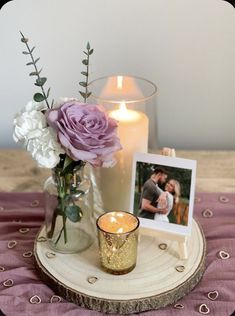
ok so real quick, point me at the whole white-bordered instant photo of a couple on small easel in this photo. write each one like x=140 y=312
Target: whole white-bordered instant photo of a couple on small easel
x=162 y=192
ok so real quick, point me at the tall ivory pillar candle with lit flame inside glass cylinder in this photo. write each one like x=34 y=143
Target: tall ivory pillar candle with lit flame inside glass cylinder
x=115 y=182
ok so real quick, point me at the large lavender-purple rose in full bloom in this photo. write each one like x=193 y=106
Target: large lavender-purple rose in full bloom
x=85 y=132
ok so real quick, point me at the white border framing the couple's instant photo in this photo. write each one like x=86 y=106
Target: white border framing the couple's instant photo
x=171 y=162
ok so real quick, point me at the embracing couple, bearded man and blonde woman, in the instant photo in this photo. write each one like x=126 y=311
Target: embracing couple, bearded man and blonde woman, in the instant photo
x=156 y=203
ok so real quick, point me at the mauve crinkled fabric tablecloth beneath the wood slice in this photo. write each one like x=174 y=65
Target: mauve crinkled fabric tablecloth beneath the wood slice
x=17 y=211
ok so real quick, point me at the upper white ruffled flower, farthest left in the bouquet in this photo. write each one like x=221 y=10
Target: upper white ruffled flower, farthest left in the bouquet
x=29 y=122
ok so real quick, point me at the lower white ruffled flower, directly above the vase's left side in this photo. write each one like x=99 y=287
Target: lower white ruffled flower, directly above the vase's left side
x=45 y=149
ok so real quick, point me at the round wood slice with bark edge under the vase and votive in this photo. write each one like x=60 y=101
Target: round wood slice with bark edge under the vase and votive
x=154 y=283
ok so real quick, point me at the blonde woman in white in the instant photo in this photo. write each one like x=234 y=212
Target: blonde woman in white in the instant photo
x=167 y=199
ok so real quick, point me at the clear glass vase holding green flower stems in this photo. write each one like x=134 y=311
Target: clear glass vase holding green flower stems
x=69 y=211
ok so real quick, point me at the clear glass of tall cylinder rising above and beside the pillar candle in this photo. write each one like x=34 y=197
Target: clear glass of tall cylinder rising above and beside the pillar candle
x=119 y=92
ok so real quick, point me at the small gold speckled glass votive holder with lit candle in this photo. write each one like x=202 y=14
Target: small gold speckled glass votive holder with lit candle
x=118 y=241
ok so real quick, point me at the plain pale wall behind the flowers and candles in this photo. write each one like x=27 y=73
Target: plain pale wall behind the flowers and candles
x=187 y=47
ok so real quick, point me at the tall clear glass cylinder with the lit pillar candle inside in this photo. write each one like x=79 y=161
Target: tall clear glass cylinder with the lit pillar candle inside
x=131 y=101
